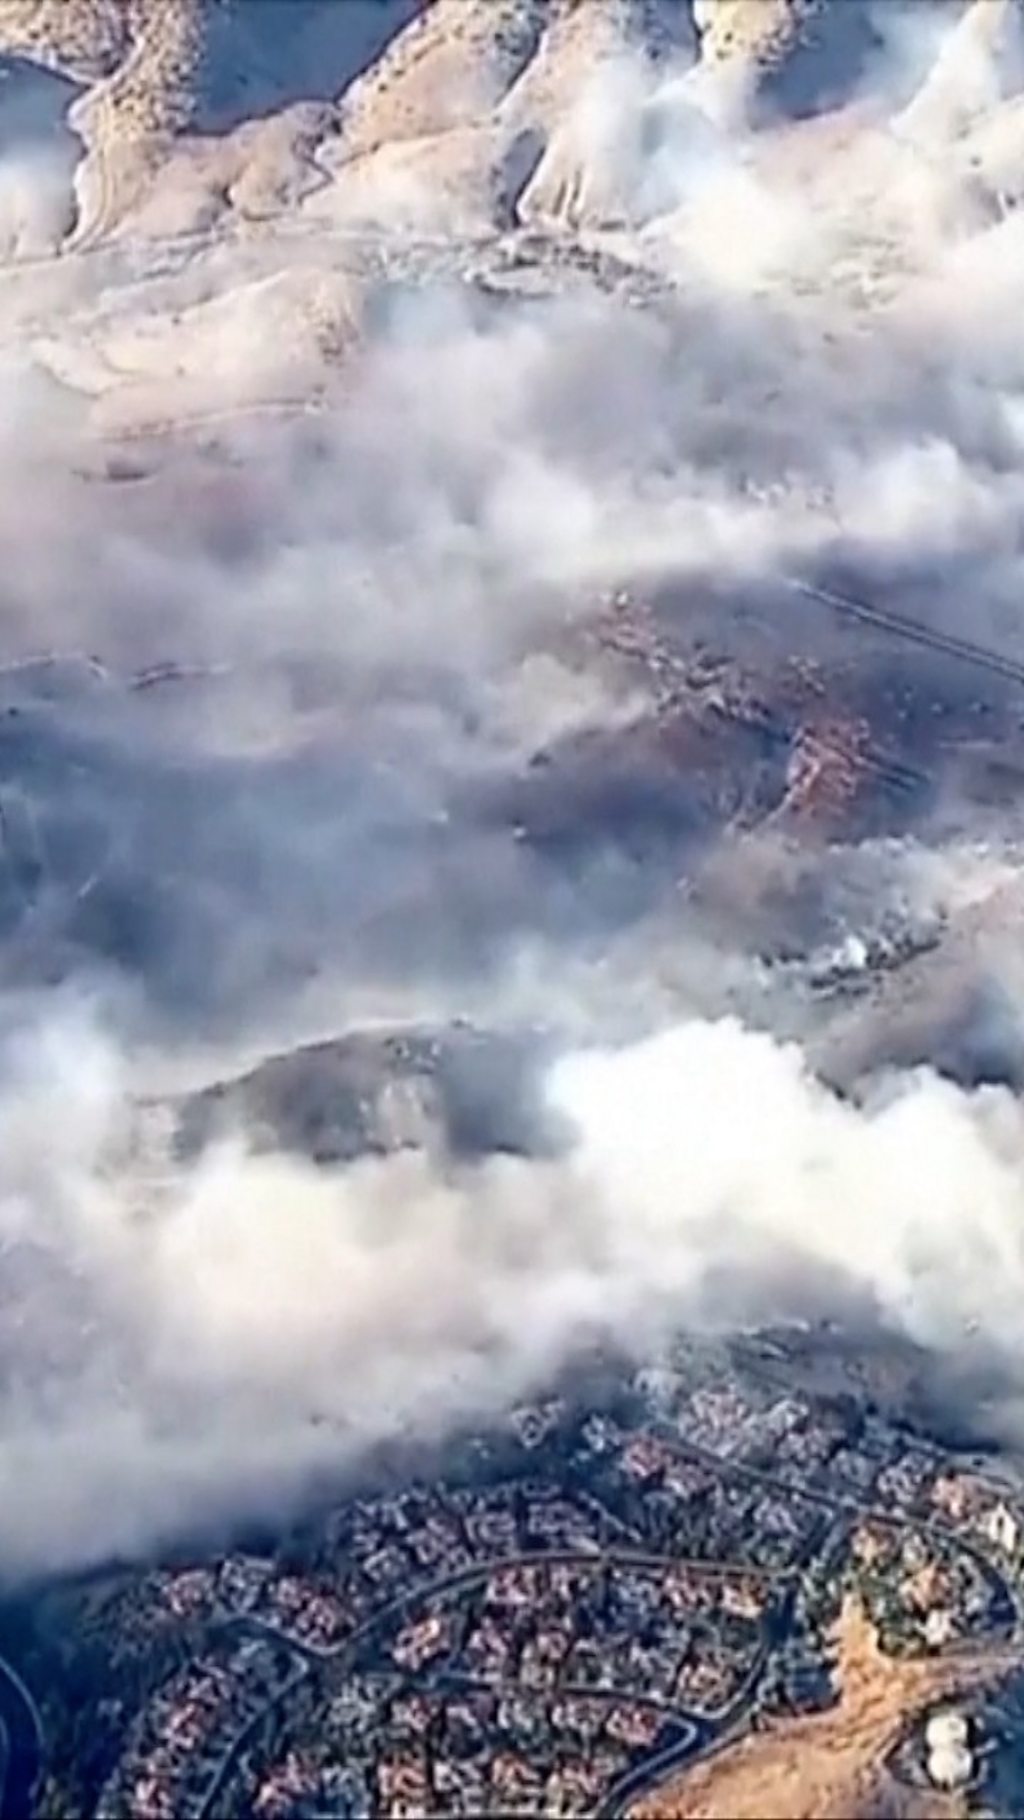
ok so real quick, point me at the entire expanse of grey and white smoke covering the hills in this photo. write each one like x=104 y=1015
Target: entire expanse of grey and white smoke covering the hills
x=305 y=733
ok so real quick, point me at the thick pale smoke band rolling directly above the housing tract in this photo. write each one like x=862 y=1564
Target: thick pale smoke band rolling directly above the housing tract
x=197 y=1337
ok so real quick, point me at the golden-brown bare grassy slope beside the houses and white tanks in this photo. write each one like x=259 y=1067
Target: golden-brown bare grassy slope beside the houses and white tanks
x=827 y=1766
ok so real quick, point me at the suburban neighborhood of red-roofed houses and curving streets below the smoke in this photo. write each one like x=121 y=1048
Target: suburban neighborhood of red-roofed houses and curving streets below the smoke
x=563 y=1608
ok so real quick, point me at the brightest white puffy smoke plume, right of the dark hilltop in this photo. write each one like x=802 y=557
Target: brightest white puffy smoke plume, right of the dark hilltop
x=723 y=1155
